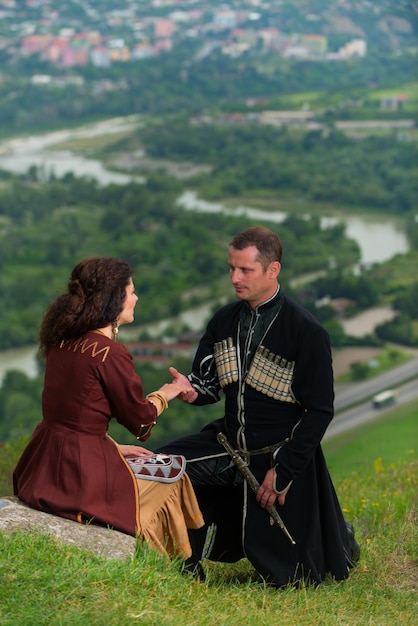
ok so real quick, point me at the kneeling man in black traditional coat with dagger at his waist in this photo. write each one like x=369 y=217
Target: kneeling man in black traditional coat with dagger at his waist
x=272 y=361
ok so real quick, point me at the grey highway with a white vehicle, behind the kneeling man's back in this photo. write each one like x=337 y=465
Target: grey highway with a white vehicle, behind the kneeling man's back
x=353 y=405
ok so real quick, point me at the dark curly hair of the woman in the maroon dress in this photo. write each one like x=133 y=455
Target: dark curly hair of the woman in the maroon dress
x=94 y=298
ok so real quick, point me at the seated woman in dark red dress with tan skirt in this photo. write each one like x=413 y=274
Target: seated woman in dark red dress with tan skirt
x=71 y=467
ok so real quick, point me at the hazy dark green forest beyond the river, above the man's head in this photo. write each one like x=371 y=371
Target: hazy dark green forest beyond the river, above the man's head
x=379 y=172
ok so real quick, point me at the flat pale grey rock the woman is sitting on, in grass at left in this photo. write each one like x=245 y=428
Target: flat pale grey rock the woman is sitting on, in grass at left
x=15 y=515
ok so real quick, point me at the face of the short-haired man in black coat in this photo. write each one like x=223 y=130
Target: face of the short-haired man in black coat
x=248 y=277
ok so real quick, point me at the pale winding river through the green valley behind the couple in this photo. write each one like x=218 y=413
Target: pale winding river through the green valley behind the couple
x=379 y=240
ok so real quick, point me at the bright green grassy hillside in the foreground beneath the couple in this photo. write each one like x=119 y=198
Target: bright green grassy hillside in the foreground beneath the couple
x=375 y=473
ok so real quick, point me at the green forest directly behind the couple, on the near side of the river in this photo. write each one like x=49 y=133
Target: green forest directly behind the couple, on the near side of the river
x=47 y=228
